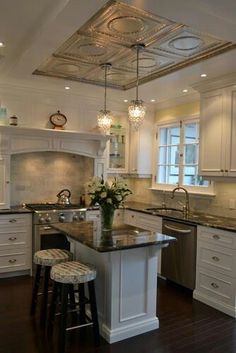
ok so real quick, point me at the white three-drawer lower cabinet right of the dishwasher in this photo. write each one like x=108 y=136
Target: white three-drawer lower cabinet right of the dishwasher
x=216 y=269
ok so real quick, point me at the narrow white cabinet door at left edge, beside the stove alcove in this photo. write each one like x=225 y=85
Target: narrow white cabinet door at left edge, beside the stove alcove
x=4 y=182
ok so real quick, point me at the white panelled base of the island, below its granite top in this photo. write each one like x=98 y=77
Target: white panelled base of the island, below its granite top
x=126 y=289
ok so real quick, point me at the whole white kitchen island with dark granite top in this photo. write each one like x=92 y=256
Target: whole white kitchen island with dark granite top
x=126 y=283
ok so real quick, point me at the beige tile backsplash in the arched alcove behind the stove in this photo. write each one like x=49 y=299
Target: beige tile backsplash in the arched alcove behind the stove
x=39 y=176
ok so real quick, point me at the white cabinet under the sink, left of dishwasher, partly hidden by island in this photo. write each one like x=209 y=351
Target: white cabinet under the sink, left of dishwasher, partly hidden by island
x=145 y=221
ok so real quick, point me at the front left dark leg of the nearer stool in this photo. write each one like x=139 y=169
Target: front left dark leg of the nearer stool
x=62 y=325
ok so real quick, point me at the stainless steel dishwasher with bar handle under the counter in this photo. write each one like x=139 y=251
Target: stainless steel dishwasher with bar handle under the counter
x=179 y=258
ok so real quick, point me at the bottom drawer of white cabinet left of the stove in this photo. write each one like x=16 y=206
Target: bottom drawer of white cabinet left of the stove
x=14 y=261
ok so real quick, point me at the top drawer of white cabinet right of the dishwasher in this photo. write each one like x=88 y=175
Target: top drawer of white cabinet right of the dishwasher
x=217 y=236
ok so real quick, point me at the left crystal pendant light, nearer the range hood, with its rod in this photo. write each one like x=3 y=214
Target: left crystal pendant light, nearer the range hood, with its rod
x=104 y=117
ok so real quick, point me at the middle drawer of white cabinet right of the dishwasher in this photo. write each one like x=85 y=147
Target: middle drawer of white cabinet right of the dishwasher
x=216 y=258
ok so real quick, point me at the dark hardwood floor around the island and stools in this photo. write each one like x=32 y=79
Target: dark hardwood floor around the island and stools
x=186 y=326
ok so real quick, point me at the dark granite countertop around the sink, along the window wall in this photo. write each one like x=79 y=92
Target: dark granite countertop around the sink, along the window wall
x=198 y=218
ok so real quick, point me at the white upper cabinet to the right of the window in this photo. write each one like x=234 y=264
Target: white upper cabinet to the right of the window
x=218 y=133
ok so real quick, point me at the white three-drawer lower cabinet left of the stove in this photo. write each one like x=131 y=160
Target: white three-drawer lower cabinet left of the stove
x=15 y=243
